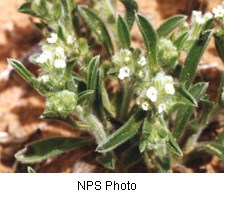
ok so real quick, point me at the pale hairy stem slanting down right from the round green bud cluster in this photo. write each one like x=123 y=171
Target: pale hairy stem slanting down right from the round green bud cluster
x=95 y=125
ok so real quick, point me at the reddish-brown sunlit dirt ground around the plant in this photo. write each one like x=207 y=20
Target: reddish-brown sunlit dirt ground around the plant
x=21 y=106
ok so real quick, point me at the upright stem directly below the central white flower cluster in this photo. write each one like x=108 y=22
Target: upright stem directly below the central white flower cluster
x=127 y=96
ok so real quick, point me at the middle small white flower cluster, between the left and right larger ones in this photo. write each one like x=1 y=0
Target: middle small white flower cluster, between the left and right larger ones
x=129 y=64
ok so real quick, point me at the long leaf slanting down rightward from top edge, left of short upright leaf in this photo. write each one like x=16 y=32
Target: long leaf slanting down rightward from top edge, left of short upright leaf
x=98 y=27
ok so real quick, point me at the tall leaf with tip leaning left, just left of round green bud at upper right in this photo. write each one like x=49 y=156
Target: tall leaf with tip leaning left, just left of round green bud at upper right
x=150 y=39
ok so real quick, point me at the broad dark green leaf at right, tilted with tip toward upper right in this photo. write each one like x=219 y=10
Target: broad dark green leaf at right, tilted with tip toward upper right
x=192 y=60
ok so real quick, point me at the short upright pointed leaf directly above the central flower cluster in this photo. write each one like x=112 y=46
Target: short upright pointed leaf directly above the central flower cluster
x=123 y=32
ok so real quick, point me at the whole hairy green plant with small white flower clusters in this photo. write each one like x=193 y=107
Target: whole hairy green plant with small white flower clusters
x=158 y=112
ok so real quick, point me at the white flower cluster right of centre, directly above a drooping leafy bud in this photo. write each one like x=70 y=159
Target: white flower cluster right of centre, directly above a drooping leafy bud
x=157 y=95
